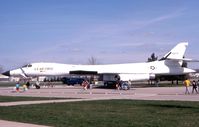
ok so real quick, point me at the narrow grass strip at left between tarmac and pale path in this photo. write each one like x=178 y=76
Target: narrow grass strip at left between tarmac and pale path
x=14 y=98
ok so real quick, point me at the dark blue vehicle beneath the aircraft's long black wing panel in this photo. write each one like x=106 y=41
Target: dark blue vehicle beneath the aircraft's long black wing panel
x=72 y=81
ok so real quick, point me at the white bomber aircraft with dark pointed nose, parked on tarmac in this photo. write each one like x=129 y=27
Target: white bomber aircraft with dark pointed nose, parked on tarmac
x=171 y=64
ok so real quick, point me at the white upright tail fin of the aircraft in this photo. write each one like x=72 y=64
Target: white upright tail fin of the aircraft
x=177 y=53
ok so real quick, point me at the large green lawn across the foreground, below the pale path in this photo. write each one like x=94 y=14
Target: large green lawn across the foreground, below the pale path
x=109 y=113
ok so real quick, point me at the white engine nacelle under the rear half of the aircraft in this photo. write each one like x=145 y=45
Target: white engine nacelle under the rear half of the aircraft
x=136 y=77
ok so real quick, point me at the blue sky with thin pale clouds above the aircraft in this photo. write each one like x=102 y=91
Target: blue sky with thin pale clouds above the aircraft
x=111 y=31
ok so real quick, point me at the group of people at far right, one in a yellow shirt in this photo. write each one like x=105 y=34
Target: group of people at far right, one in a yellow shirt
x=195 y=86
